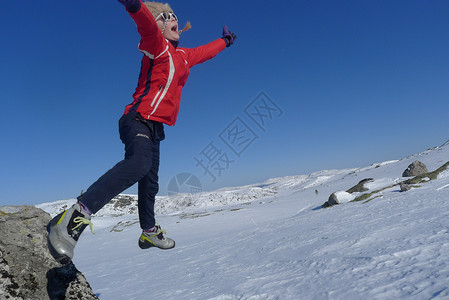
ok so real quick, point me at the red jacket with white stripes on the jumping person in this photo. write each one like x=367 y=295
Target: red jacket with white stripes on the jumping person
x=164 y=70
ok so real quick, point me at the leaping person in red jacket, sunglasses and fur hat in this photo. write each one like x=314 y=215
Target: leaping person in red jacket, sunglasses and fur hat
x=164 y=71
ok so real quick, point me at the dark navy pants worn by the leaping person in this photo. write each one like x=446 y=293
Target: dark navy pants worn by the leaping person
x=141 y=164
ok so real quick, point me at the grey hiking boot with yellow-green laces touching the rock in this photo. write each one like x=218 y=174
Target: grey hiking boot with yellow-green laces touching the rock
x=64 y=231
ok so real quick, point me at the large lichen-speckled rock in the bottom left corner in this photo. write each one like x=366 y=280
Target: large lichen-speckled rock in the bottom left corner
x=27 y=270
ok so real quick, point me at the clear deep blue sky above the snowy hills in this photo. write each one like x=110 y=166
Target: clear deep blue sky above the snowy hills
x=345 y=84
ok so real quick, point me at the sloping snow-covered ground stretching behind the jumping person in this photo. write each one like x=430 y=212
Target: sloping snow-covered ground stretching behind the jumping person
x=274 y=241
